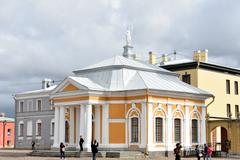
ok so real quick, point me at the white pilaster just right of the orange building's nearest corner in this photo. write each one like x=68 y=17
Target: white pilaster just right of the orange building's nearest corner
x=150 y=126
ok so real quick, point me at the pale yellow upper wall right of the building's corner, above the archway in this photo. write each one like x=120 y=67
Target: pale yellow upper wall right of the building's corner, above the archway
x=215 y=82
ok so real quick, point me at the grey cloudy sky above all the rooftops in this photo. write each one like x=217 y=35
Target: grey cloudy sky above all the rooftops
x=45 y=38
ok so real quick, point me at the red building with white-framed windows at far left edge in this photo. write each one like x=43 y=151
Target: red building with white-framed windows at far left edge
x=6 y=132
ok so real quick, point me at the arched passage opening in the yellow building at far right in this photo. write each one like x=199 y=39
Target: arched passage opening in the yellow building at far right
x=219 y=136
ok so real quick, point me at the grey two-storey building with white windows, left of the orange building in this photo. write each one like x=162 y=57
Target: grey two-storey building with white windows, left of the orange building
x=33 y=119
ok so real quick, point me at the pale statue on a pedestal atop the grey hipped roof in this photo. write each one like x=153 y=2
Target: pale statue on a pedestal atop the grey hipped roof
x=128 y=47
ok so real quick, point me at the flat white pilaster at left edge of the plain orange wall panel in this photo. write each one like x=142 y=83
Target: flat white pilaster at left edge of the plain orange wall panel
x=105 y=125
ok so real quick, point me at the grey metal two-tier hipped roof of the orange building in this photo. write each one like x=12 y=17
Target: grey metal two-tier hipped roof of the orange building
x=123 y=74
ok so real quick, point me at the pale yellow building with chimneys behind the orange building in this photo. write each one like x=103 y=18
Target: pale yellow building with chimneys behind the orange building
x=223 y=83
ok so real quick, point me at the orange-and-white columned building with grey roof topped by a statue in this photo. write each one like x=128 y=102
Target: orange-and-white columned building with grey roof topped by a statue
x=126 y=104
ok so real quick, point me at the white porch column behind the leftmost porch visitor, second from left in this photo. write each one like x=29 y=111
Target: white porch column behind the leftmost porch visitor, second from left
x=62 y=125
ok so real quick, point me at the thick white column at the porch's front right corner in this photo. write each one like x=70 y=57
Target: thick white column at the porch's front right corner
x=88 y=132
